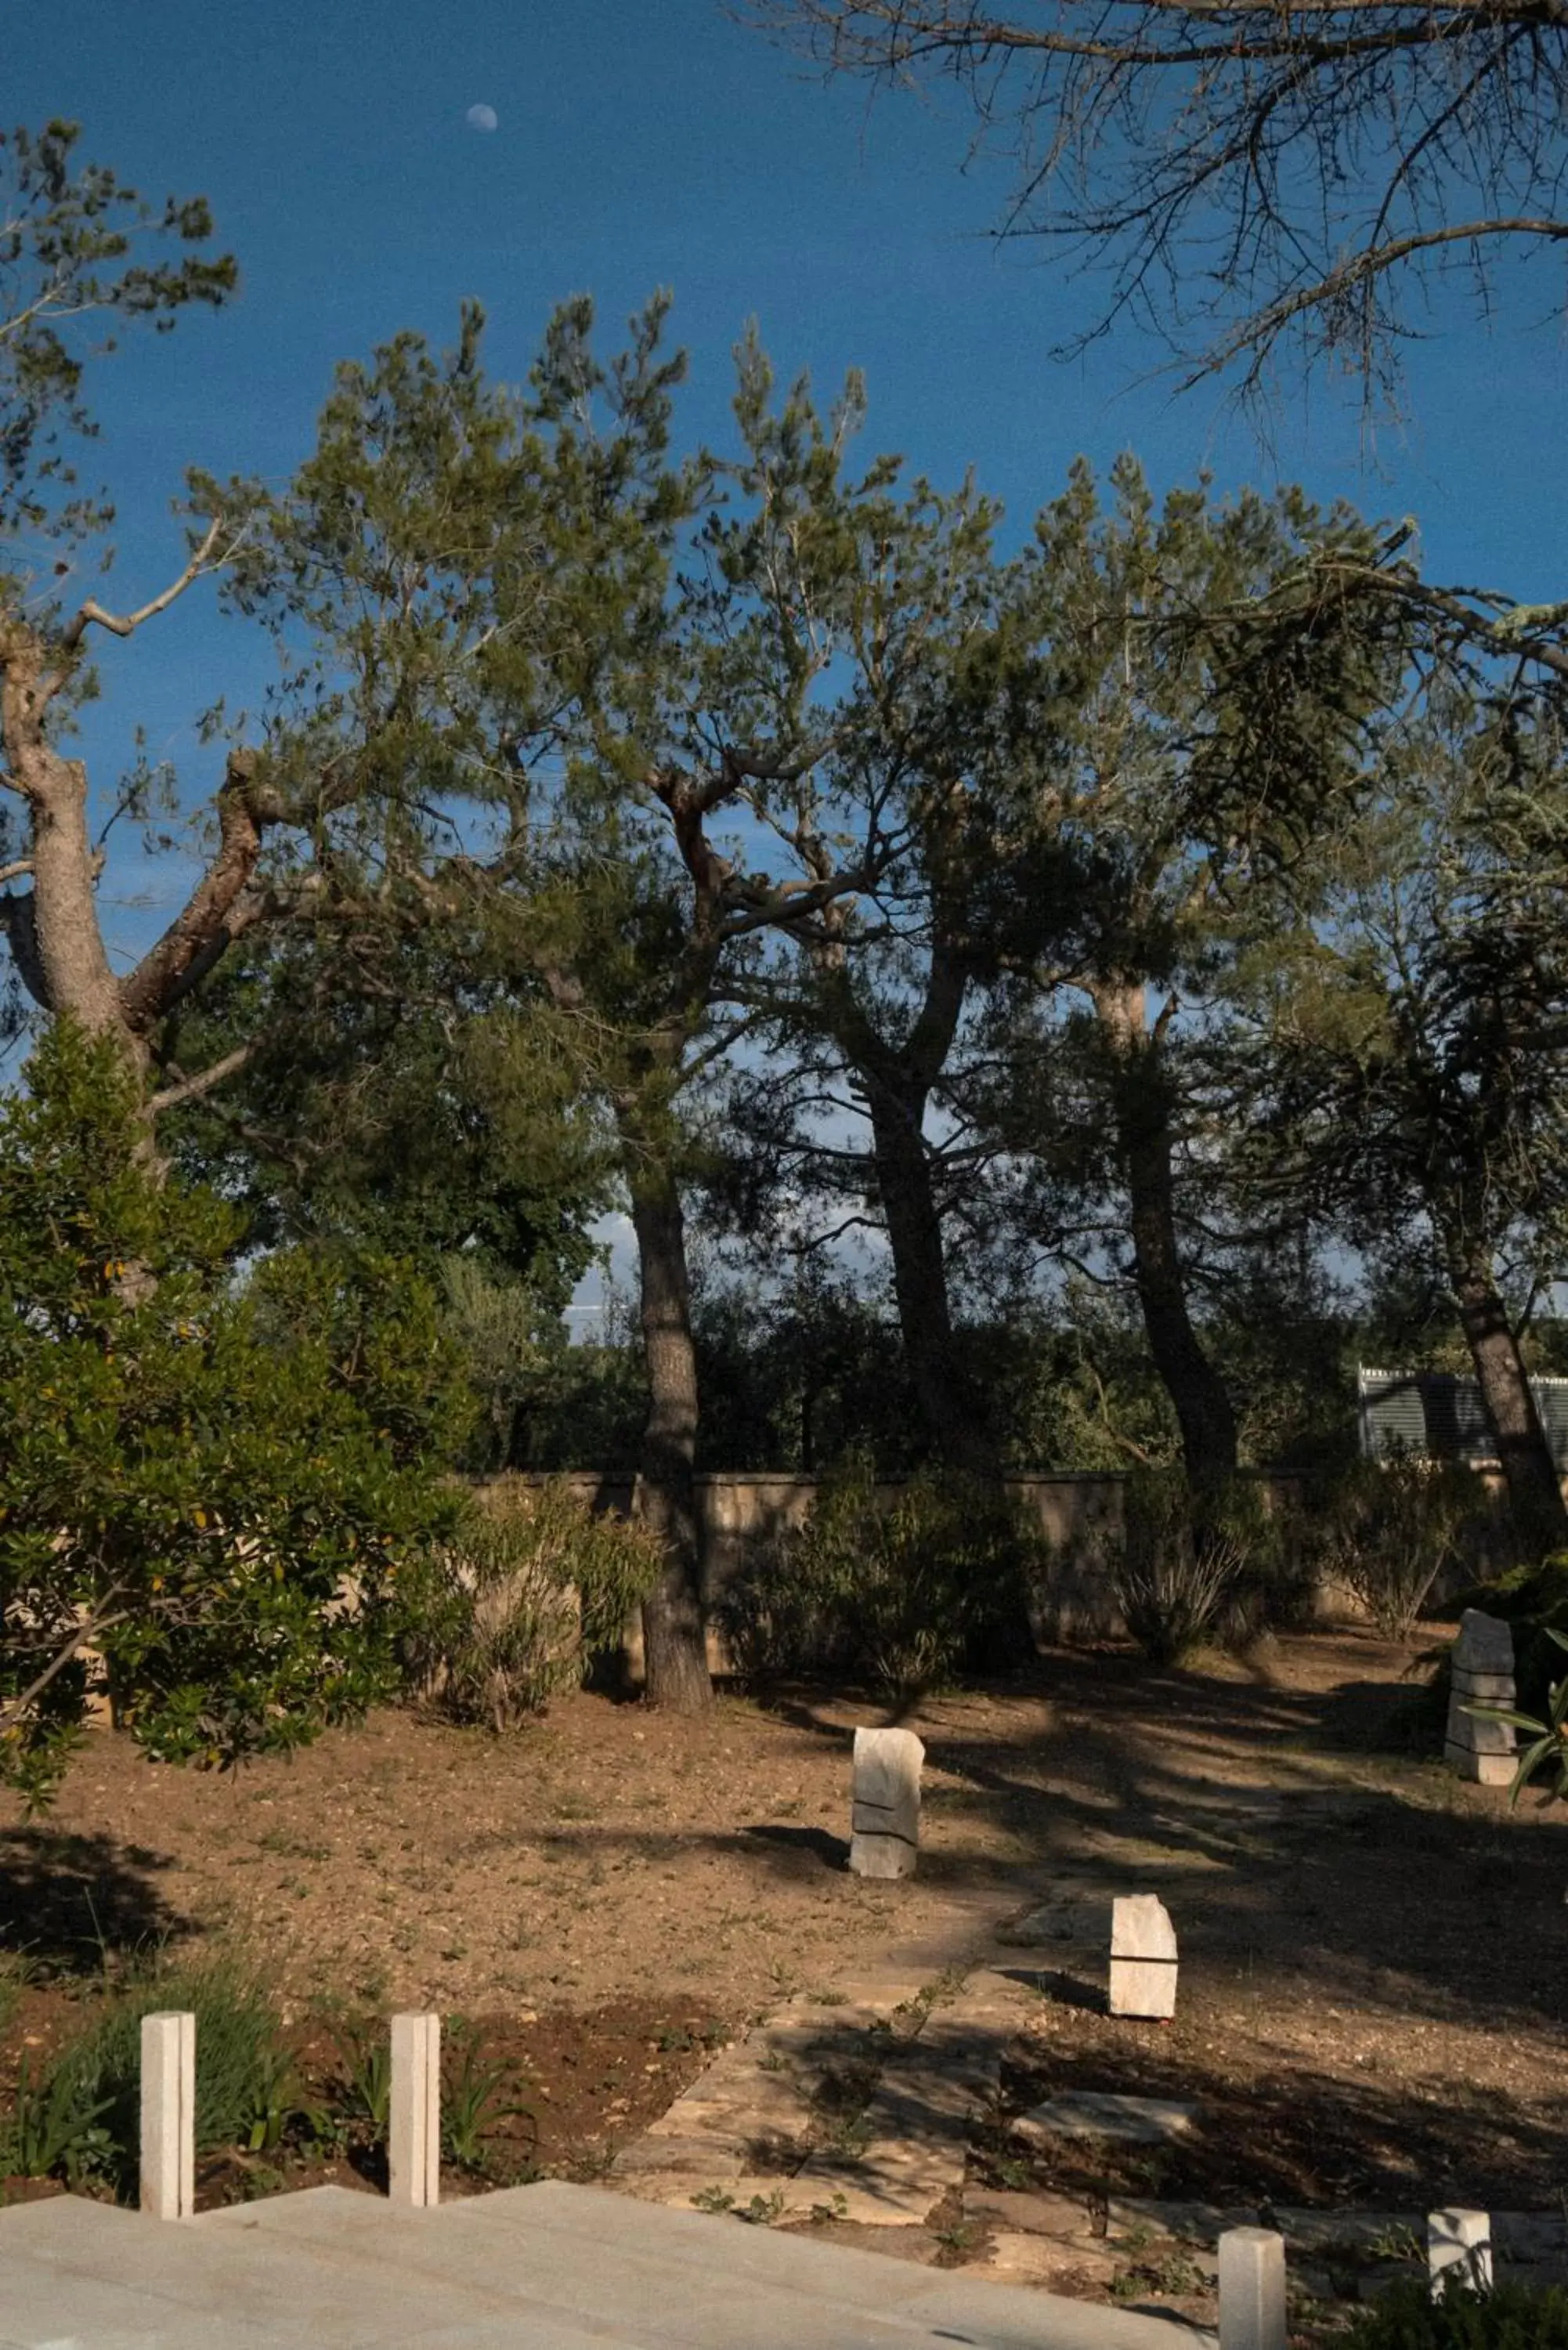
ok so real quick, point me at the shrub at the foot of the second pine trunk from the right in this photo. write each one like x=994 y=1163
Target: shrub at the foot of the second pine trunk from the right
x=1186 y=1571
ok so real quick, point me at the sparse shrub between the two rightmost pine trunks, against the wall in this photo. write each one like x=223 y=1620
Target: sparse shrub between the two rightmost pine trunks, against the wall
x=1391 y=1529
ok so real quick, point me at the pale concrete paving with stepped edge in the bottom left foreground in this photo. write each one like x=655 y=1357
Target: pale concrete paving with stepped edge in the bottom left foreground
x=530 y=2269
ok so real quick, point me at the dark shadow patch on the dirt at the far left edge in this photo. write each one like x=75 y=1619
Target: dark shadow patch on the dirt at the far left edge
x=69 y=1905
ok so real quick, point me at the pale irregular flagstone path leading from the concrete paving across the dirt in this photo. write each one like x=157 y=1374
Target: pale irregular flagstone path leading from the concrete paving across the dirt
x=850 y=2109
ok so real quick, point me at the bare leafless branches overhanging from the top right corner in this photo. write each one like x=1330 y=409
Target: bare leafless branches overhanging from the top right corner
x=1254 y=170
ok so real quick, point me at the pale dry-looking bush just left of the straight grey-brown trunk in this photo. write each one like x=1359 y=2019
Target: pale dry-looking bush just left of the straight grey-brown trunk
x=521 y=1602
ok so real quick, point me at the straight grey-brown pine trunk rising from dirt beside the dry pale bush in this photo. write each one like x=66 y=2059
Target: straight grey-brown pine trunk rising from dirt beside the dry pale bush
x=674 y=1634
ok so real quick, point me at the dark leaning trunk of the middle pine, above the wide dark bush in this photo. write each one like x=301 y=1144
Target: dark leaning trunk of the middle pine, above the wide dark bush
x=920 y=1273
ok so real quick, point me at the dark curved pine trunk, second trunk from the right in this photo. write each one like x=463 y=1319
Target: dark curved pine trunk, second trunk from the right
x=1146 y=1146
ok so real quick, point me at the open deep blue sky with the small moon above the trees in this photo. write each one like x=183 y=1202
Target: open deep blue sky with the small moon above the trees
x=643 y=145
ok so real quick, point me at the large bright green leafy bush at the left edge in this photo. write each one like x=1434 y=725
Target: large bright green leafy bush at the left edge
x=208 y=1489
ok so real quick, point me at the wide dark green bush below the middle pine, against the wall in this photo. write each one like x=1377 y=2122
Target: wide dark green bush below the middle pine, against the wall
x=892 y=1590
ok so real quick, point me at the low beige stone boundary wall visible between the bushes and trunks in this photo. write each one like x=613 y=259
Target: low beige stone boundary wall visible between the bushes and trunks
x=742 y=1510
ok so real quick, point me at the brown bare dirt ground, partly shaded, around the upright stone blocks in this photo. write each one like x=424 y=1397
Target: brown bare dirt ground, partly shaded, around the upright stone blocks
x=1372 y=1954
